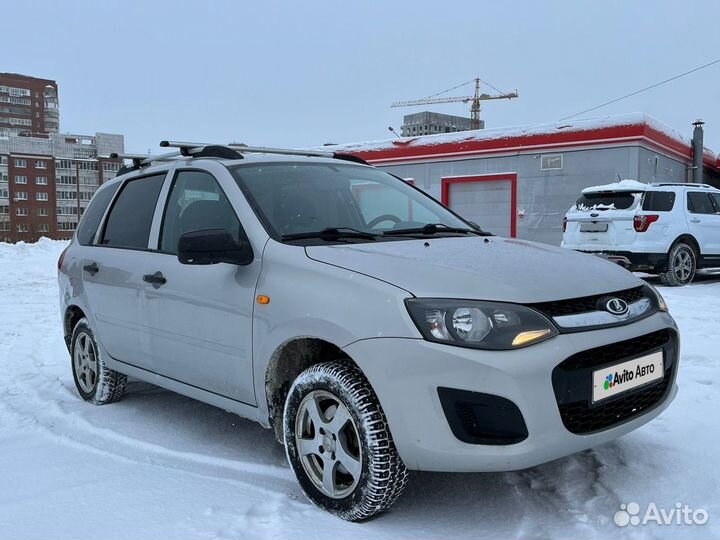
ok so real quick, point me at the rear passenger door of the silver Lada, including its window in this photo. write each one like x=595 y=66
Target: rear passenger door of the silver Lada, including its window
x=112 y=270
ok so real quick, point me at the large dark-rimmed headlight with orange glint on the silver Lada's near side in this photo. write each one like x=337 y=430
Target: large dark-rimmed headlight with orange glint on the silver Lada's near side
x=478 y=324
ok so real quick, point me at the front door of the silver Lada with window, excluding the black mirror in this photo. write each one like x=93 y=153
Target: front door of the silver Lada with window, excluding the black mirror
x=200 y=319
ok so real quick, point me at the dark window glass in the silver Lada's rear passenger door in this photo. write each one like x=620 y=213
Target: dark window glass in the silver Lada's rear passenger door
x=128 y=224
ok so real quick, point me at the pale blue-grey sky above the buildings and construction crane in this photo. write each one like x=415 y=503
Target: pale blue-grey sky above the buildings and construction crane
x=305 y=73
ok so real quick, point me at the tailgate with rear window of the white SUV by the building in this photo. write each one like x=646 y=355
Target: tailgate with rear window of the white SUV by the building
x=602 y=219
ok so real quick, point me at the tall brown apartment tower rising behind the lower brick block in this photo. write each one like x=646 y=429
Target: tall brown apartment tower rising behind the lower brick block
x=28 y=105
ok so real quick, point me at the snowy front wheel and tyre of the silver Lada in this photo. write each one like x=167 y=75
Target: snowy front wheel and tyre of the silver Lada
x=338 y=442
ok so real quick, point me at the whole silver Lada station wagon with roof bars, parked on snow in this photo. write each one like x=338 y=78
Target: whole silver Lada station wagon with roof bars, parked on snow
x=371 y=328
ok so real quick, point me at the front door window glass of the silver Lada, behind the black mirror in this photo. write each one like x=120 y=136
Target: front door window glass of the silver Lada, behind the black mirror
x=196 y=202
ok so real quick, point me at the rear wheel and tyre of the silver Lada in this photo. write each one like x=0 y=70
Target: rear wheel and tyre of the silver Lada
x=95 y=382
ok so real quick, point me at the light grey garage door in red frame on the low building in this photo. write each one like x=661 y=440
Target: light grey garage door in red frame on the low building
x=487 y=203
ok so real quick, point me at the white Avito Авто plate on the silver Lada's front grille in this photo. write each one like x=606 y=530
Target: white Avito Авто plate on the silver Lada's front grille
x=614 y=380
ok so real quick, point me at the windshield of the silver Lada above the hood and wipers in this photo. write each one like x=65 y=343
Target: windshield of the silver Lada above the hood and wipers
x=327 y=201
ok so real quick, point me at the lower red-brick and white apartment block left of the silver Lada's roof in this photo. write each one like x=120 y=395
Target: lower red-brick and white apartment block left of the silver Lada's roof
x=46 y=182
